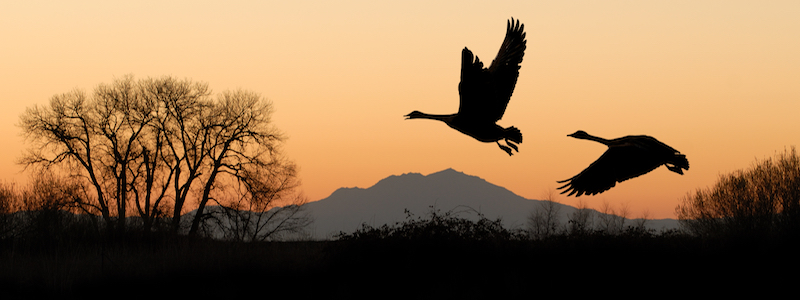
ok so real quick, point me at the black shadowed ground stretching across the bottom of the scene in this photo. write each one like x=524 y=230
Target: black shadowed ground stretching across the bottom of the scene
x=381 y=268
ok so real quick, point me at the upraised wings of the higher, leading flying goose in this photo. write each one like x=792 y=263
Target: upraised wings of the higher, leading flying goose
x=485 y=92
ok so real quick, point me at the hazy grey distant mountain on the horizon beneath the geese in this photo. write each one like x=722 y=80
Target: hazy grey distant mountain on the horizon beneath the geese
x=449 y=190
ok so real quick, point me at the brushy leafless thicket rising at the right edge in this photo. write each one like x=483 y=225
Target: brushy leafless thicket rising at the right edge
x=761 y=200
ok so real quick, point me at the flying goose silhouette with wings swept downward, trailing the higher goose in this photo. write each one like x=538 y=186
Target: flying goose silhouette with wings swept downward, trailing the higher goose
x=627 y=157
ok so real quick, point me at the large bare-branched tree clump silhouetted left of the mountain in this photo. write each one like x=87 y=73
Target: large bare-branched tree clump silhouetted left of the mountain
x=157 y=148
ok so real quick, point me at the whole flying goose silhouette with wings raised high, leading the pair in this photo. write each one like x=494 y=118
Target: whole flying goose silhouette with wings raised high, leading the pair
x=485 y=92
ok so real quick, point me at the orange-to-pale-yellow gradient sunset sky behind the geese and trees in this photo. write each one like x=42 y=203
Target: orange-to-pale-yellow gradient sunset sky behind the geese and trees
x=717 y=80
